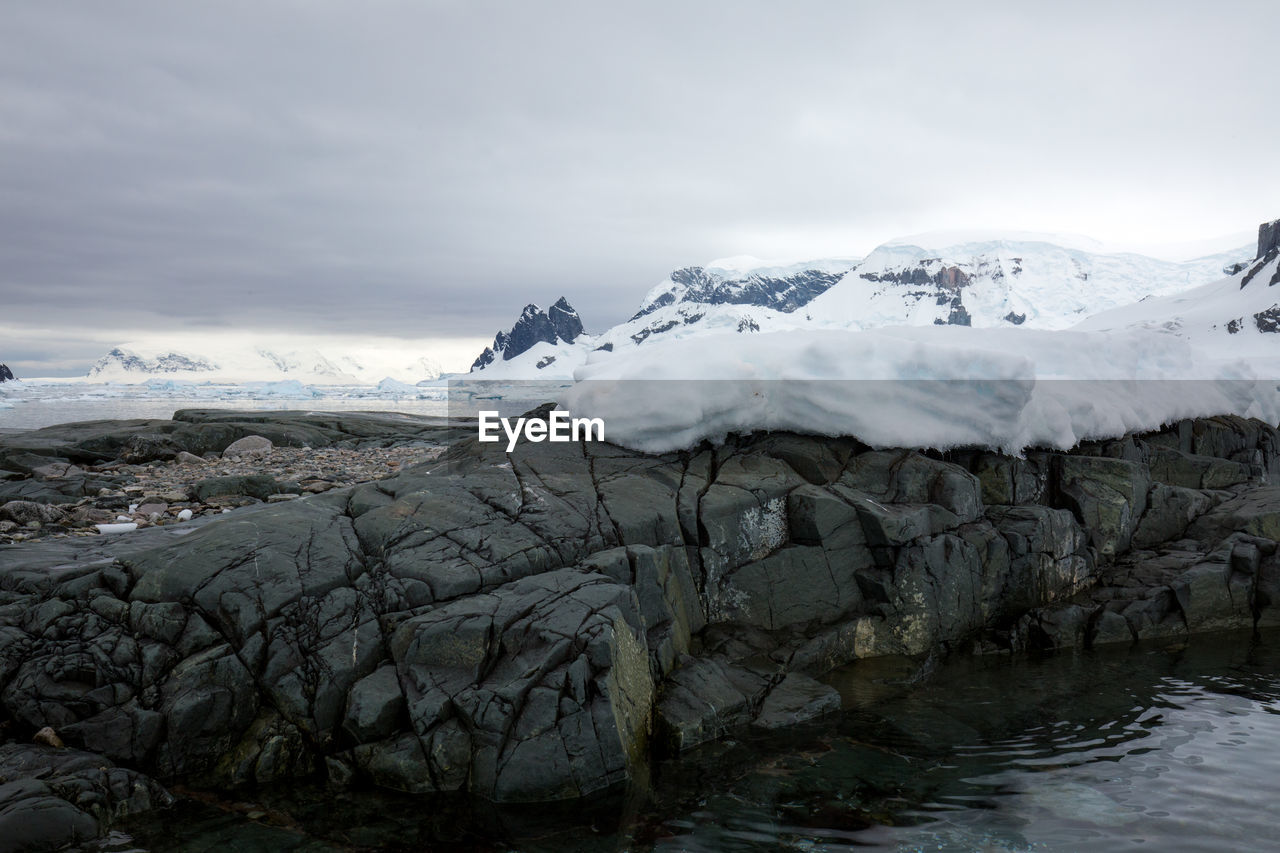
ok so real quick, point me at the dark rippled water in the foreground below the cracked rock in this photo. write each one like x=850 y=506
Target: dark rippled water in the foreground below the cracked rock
x=1153 y=749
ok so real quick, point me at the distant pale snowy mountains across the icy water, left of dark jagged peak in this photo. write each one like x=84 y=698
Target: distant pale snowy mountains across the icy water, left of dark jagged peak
x=249 y=362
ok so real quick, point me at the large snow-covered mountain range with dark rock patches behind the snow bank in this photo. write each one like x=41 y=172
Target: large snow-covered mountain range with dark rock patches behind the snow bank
x=945 y=279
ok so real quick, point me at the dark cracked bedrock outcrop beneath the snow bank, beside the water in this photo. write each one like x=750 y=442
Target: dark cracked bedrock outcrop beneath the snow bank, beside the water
x=534 y=627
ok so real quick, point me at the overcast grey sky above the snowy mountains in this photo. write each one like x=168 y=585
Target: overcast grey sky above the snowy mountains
x=420 y=171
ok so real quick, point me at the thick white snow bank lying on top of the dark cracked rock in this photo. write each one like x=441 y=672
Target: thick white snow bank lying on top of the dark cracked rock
x=936 y=387
